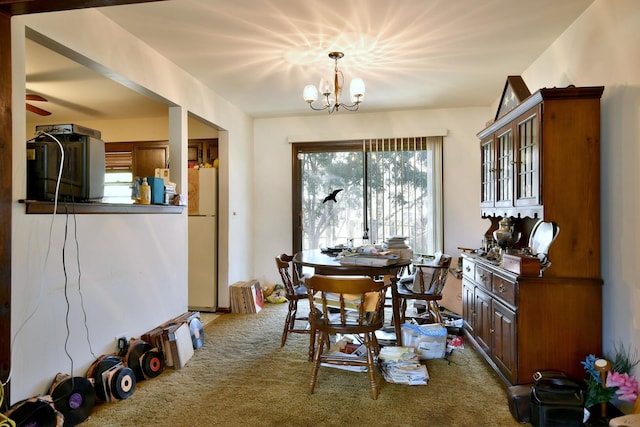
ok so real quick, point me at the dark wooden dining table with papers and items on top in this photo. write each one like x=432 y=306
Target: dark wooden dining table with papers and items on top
x=328 y=264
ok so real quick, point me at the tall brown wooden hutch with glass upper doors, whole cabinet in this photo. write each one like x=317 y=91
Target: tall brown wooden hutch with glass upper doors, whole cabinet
x=540 y=160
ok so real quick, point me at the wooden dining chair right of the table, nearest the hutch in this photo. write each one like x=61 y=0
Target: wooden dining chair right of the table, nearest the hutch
x=426 y=285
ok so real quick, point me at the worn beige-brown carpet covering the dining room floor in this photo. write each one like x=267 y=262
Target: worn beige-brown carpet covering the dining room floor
x=241 y=377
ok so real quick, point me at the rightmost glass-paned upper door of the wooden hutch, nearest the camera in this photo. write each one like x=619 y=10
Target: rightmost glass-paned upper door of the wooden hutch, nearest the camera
x=528 y=166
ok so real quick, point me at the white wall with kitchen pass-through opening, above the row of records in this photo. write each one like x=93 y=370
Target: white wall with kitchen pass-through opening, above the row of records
x=133 y=267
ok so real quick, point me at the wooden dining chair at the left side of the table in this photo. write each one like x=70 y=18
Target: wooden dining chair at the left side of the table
x=295 y=291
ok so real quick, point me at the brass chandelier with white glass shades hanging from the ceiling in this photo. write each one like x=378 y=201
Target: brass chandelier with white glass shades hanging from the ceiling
x=331 y=91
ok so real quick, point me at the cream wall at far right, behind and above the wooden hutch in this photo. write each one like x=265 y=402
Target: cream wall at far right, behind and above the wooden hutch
x=601 y=48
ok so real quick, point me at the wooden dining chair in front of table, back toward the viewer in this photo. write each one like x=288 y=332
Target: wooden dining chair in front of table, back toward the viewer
x=346 y=305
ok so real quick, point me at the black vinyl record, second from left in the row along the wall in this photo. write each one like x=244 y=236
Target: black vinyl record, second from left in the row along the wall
x=74 y=397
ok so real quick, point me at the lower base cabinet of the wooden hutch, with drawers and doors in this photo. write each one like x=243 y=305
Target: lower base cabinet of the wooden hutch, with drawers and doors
x=523 y=324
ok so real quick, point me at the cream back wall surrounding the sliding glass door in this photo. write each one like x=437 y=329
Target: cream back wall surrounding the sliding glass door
x=272 y=178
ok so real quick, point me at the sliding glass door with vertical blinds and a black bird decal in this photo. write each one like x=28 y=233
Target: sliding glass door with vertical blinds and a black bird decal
x=361 y=192
